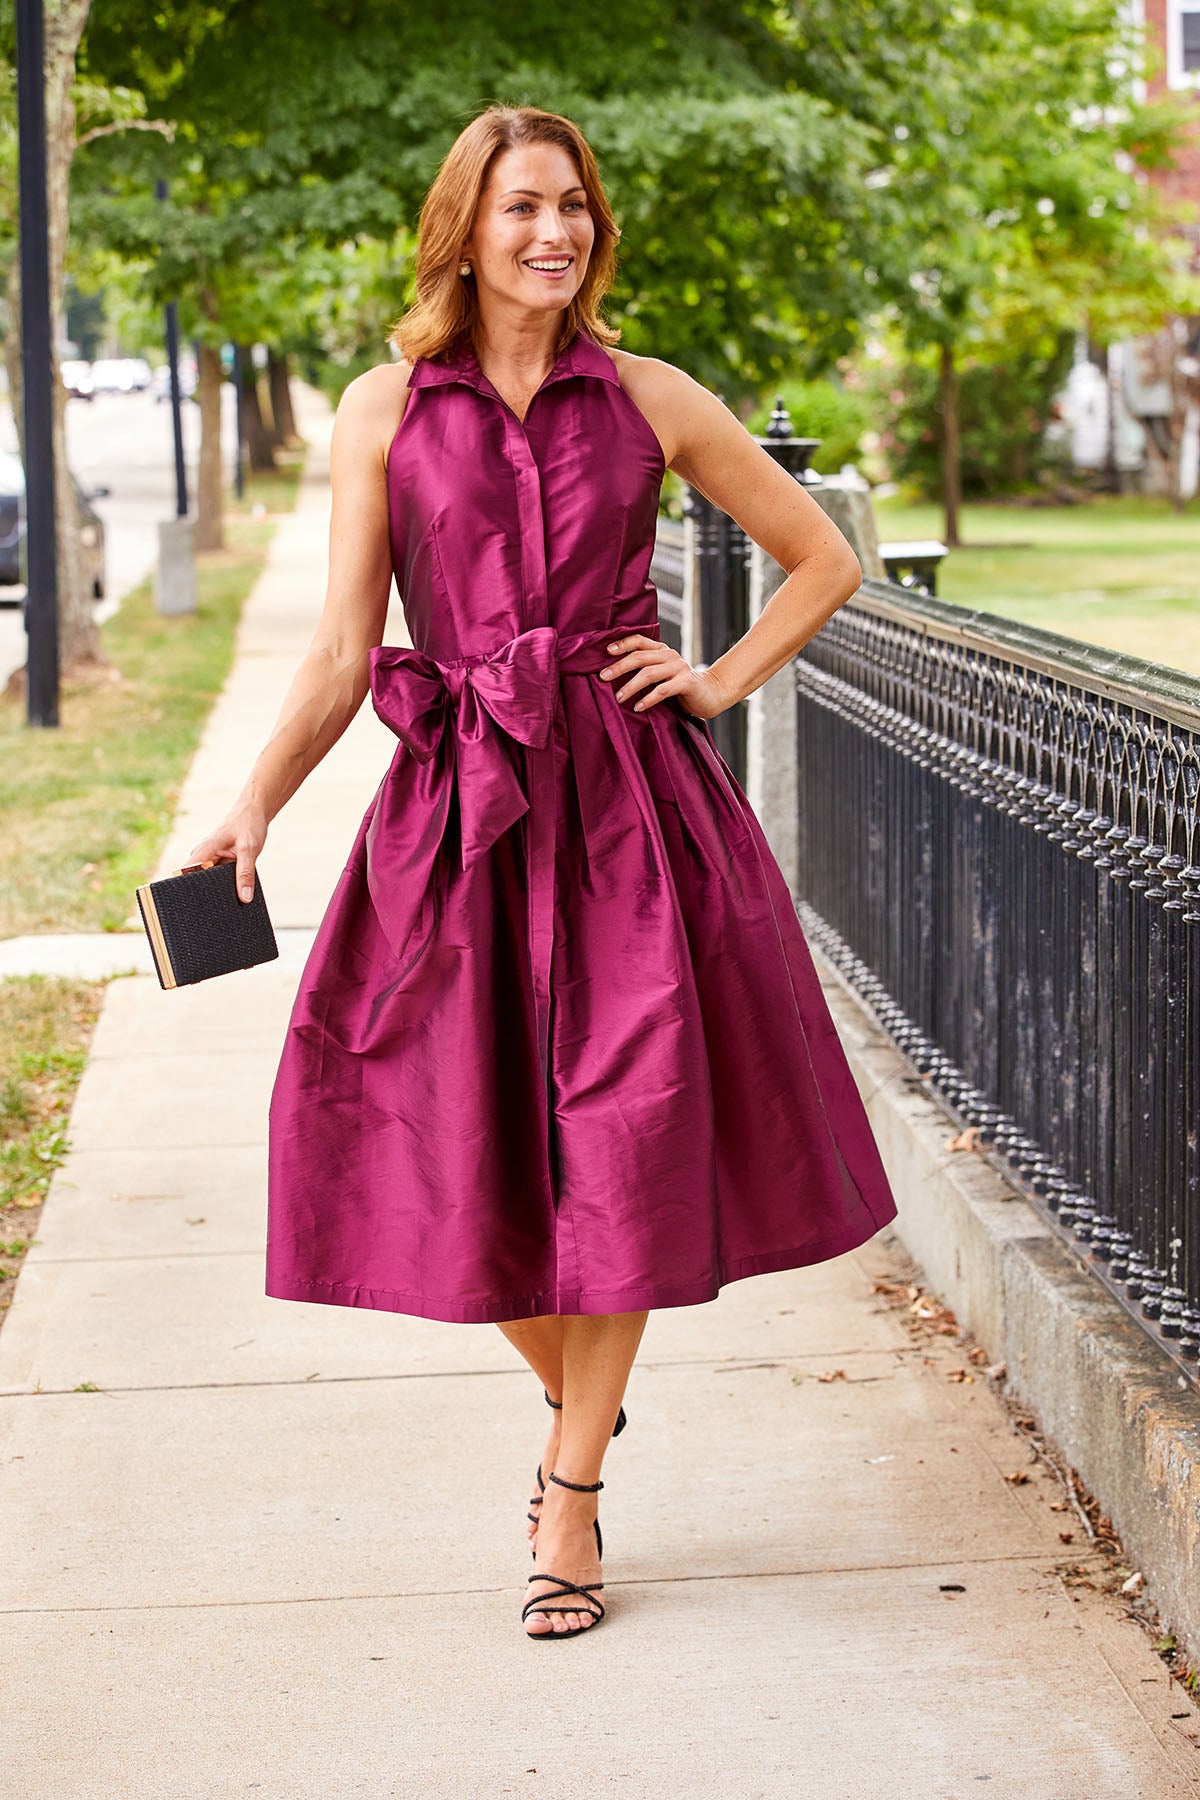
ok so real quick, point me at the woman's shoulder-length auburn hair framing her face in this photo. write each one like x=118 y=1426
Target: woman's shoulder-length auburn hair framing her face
x=447 y=307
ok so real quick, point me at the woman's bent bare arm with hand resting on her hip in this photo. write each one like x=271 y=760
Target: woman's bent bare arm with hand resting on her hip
x=717 y=454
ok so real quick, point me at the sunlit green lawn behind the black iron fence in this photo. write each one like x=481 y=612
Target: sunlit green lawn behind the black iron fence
x=1120 y=571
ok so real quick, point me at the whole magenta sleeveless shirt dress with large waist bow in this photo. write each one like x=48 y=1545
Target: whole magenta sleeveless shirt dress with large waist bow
x=559 y=1045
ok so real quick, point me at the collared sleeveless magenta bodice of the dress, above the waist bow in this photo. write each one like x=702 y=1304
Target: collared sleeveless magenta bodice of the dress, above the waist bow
x=501 y=525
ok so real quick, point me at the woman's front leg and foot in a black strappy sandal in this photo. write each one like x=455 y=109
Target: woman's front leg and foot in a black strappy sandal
x=598 y=1356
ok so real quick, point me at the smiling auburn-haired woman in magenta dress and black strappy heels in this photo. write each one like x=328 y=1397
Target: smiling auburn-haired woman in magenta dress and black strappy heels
x=559 y=1054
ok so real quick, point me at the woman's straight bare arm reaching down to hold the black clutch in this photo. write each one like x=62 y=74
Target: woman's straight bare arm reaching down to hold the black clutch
x=336 y=674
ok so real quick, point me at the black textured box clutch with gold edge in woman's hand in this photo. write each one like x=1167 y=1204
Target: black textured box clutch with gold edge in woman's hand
x=199 y=928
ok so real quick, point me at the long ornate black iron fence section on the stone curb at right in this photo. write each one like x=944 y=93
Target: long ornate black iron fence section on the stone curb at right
x=999 y=849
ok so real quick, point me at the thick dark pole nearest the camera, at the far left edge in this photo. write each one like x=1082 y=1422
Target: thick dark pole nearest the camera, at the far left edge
x=42 y=667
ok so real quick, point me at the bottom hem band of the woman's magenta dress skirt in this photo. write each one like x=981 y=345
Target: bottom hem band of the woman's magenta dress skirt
x=578 y=1302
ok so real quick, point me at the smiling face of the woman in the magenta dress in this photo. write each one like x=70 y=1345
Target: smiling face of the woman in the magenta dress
x=532 y=213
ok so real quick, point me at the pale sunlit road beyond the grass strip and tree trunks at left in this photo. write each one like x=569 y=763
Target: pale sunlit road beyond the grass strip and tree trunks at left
x=120 y=442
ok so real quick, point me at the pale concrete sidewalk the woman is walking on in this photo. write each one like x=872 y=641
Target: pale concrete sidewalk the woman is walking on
x=260 y=1547
